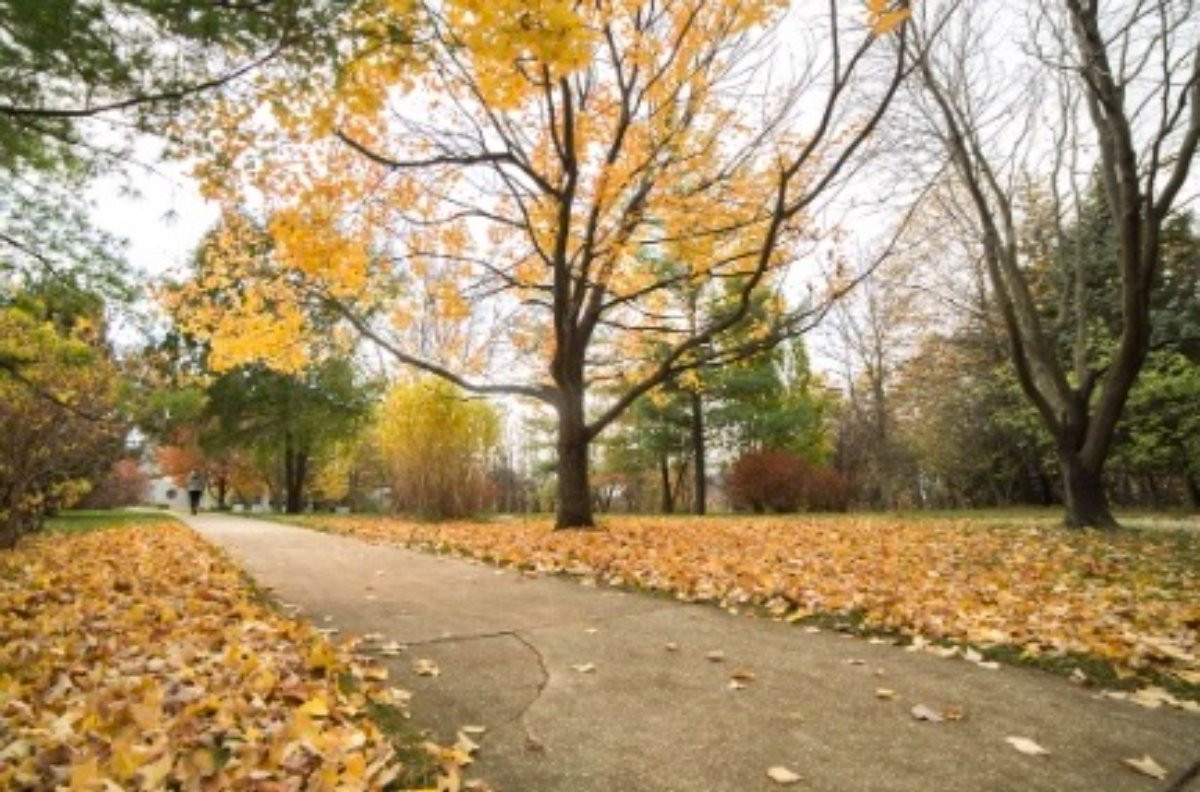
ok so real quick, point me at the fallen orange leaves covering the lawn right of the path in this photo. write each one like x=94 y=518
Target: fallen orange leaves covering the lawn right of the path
x=1132 y=599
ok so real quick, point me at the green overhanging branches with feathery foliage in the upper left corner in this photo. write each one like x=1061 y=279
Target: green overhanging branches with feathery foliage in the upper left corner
x=80 y=79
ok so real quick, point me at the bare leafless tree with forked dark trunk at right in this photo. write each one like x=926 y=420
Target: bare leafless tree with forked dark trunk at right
x=1132 y=75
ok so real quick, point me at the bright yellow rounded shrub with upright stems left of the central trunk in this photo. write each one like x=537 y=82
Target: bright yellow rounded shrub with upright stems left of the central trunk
x=439 y=448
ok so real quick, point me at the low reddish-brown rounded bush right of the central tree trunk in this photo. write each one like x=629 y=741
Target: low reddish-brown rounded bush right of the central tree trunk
x=782 y=482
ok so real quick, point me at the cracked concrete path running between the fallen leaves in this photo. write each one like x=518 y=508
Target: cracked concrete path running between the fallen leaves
x=649 y=719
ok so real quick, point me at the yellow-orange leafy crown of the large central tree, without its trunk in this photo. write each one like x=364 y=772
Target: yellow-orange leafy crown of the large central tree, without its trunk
x=428 y=175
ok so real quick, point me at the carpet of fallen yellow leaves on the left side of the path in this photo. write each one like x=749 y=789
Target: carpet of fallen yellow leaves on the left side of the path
x=141 y=659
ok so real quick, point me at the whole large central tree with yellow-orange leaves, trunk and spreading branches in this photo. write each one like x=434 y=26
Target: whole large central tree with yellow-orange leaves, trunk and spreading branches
x=563 y=178
